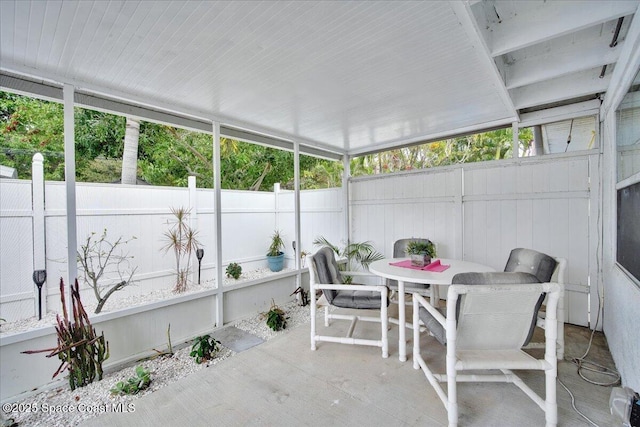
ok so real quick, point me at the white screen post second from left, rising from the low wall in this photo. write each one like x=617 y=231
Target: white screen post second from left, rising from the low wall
x=217 y=184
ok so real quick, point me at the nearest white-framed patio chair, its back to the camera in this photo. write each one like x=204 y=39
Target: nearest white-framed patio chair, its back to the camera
x=487 y=321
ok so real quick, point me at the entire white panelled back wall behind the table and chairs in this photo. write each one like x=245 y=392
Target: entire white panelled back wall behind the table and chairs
x=479 y=212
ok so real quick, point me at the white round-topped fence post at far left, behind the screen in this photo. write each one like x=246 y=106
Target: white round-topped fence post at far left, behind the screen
x=39 y=236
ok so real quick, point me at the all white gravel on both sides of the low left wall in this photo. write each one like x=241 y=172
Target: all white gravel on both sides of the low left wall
x=45 y=408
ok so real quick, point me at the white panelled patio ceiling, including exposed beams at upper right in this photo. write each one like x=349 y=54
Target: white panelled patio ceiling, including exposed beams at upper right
x=351 y=76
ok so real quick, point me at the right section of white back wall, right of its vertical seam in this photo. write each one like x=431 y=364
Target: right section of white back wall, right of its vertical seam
x=543 y=205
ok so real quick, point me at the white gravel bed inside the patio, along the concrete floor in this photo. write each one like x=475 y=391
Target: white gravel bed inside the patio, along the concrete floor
x=45 y=408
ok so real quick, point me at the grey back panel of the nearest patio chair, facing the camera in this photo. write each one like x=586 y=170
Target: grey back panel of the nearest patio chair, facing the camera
x=495 y=317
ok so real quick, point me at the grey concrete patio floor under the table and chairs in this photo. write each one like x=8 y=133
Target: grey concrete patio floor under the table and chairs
x=282 y=382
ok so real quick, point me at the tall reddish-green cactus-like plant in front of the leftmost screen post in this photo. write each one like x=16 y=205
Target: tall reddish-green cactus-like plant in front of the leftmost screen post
x=79 y=348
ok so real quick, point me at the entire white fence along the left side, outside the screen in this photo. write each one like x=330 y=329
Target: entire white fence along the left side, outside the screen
x=248 y=220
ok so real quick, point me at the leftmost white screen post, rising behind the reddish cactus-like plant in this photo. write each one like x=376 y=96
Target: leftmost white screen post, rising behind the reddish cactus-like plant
x=70 y=185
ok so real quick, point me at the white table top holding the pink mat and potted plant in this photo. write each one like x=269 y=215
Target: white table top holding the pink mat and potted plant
x=382 y=268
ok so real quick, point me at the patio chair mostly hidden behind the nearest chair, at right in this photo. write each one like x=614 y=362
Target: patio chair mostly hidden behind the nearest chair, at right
x=546 y=269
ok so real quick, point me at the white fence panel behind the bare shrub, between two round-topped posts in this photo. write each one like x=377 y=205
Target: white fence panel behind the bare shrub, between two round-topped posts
x=124 y=211
